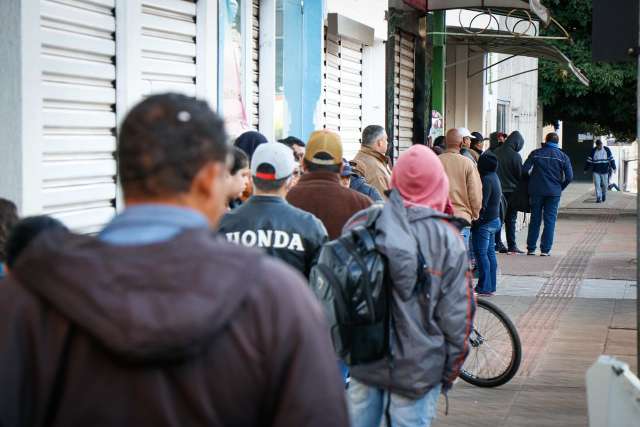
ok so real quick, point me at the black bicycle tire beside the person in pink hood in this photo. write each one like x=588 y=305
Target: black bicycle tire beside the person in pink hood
x=511 y=370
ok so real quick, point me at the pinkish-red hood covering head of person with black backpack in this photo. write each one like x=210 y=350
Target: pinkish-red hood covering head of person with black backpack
x=420 y=179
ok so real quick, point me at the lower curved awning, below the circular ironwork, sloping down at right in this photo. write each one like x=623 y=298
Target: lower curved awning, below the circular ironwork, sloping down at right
x=491 y=41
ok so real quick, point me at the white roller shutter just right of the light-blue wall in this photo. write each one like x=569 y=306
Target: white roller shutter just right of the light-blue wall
x=342 y=91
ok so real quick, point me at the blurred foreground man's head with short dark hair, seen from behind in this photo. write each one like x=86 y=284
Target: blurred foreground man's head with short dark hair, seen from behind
x=173 y=150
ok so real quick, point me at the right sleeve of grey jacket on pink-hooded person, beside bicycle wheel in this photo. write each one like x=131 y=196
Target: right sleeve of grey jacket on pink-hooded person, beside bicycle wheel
x=455 y=312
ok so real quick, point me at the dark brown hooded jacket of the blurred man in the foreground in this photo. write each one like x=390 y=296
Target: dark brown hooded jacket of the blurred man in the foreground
x=190 y=332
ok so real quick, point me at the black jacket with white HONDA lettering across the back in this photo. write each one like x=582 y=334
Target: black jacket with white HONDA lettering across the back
x=281 y=230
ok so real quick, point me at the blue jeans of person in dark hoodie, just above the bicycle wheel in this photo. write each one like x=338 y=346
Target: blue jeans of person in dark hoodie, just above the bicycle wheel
x=483 y=236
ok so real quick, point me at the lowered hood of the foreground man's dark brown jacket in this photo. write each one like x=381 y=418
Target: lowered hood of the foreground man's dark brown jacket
x=155 y=302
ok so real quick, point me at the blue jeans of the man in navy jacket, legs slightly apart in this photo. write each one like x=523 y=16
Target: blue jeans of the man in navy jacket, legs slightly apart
x=542 y=207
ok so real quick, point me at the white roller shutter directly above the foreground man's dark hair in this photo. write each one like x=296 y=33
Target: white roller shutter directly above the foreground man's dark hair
x=168 y=46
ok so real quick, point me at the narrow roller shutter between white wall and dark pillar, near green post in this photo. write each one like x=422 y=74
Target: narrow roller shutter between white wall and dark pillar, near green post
x=404 y=84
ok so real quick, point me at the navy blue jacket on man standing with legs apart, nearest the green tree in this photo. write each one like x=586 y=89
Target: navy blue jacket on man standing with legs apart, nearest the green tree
x=550 y=170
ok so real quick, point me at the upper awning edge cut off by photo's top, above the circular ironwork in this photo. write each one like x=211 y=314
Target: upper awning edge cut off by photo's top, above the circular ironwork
x=533 y=5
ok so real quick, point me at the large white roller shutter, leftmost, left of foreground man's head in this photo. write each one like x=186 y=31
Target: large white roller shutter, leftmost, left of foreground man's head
x=79 y=120
